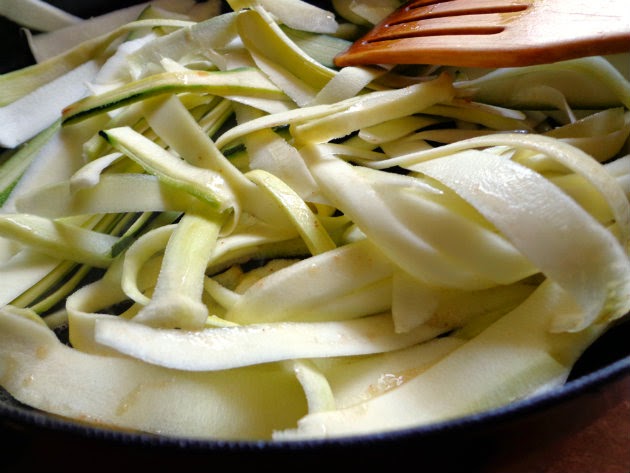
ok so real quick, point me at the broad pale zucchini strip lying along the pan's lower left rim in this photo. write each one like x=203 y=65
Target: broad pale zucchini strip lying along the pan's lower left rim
x=40 y=371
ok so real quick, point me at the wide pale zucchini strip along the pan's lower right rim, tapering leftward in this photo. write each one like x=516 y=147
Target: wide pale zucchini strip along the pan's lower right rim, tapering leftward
x=511 y=359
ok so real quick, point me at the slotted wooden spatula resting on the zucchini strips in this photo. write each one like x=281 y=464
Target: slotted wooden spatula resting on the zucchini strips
x=494 y=33
